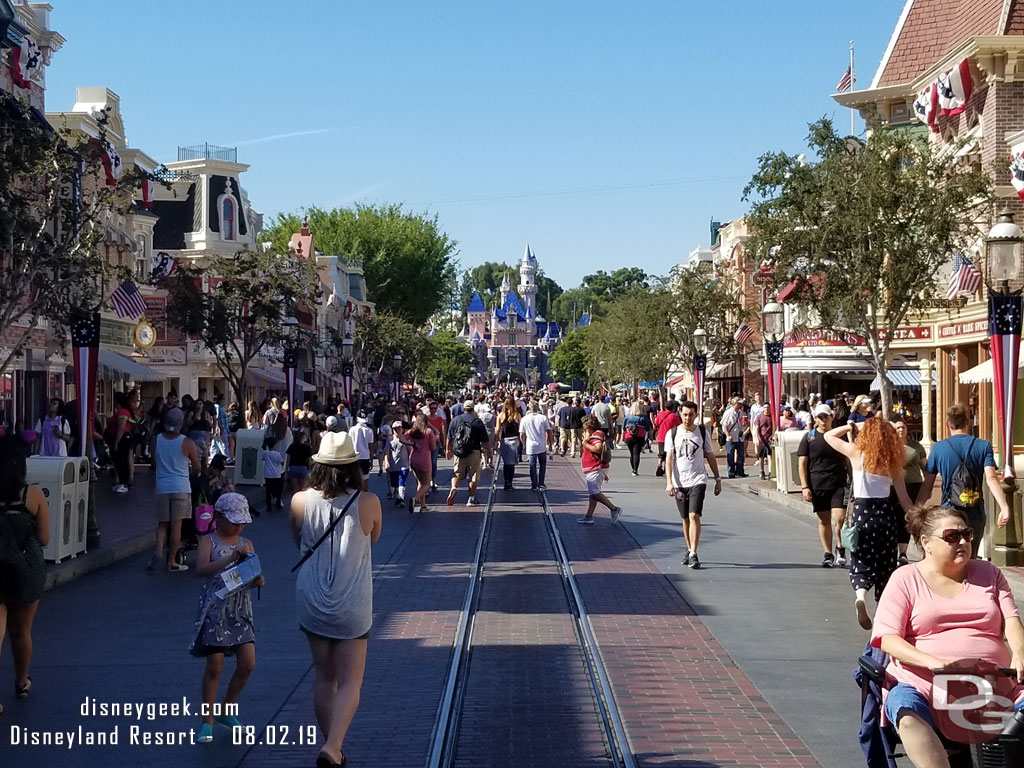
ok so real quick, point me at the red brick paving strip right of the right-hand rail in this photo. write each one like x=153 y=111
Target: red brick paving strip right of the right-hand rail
x=684 y=701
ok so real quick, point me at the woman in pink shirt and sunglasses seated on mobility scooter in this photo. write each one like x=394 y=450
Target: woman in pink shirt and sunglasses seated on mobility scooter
x=932 y=614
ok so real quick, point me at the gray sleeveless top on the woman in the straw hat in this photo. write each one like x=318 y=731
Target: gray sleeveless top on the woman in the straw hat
x=334 y=589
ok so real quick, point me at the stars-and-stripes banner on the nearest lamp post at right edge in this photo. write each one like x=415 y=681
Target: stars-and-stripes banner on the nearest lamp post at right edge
x=1005 y=313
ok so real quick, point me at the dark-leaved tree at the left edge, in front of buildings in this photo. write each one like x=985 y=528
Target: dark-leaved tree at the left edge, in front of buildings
x=55 y=205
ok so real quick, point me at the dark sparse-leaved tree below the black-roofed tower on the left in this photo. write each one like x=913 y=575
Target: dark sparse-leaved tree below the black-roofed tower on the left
x=237 y=306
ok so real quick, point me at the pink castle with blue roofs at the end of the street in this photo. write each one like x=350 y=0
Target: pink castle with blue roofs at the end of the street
x=511 y=342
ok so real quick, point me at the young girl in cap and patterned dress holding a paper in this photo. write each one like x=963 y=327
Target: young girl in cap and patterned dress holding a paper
x=225 y=625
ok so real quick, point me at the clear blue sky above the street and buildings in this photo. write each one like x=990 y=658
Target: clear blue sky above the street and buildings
x=606 y=134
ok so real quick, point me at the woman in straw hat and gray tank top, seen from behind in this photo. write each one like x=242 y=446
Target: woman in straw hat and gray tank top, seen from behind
x=334 y=588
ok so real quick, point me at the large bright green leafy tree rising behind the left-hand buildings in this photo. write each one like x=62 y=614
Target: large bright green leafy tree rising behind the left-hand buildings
x=408 y=261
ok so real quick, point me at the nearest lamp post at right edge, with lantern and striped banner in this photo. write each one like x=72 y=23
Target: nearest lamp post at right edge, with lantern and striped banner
x=1006 y=309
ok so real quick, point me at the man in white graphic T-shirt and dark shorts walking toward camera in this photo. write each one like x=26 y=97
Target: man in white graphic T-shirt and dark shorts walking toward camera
x=688 y=448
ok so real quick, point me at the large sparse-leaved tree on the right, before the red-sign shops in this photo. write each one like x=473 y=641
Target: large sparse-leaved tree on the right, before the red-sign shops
x=866 y=229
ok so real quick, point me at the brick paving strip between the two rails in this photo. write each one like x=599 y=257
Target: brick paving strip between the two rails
x=529 y=701
